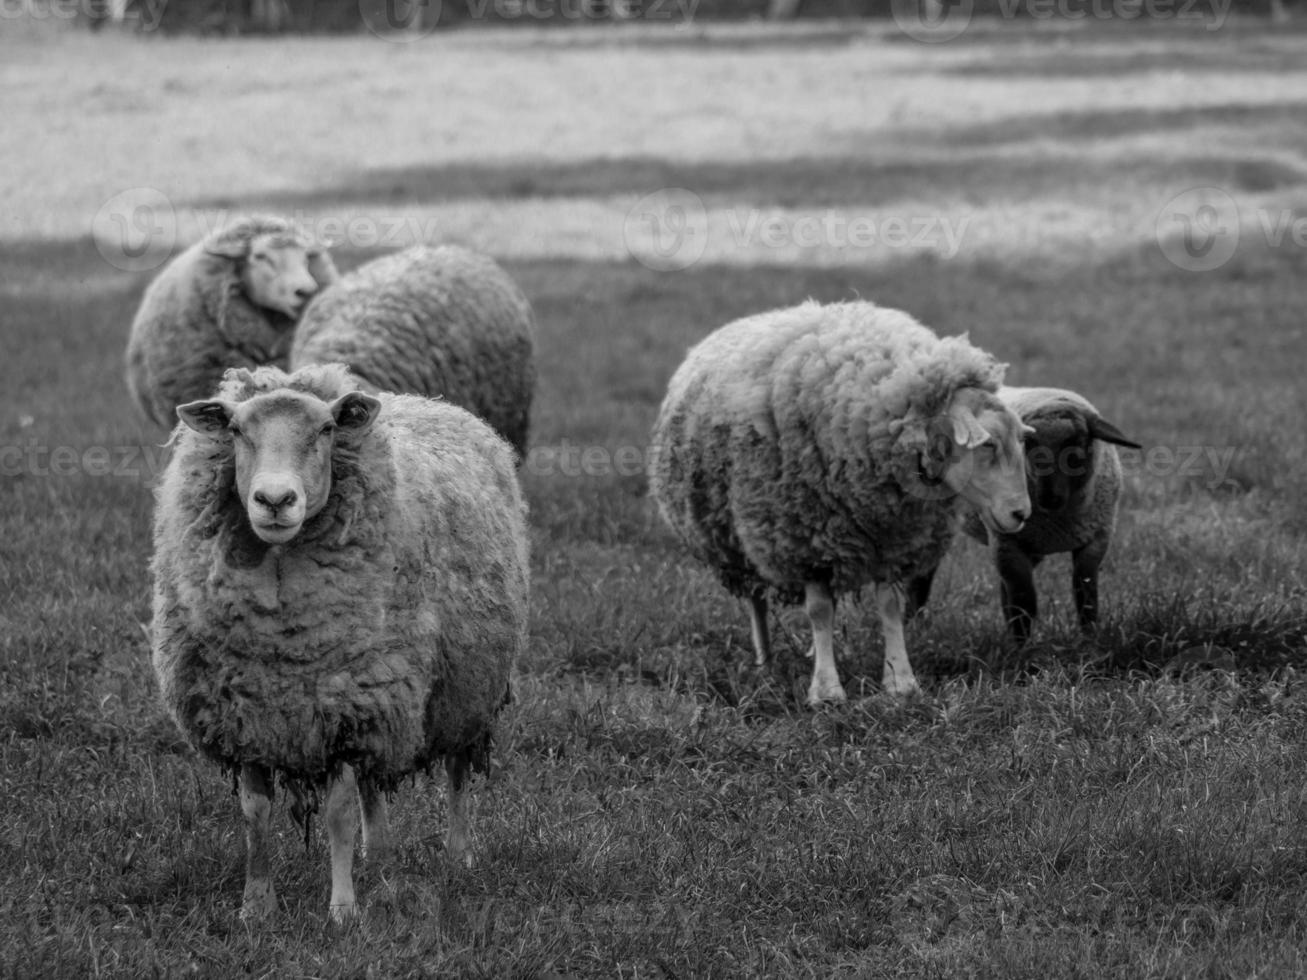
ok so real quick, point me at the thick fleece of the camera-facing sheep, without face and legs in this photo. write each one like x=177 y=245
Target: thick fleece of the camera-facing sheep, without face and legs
x=384 y=636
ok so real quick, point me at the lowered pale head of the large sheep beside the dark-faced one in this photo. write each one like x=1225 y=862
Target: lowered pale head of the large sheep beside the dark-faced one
x=973 y=450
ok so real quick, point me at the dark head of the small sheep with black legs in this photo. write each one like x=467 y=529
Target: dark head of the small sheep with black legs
x=1061 y=454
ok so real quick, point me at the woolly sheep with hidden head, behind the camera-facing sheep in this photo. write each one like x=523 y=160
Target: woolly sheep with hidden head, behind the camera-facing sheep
x=438 y=322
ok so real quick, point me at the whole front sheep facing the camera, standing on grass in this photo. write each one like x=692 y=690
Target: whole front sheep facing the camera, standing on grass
x=340 y=591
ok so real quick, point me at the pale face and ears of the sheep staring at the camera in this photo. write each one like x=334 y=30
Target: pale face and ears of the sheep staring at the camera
x=283 y=444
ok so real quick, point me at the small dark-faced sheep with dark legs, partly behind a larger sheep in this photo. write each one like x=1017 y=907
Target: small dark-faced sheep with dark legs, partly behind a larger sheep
x=1075 y=480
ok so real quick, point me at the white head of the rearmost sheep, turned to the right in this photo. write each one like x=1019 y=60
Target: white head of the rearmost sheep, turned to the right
x=279 y=267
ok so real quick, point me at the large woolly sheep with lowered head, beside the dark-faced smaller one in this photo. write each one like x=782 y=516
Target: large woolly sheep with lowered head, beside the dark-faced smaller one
x=815 y=450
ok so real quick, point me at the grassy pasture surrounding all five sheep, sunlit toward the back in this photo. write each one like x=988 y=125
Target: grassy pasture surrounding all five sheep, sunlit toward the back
x=1131 y=806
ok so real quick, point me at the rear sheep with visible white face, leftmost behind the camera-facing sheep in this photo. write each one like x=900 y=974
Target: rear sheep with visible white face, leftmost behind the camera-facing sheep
x=228 y=301
